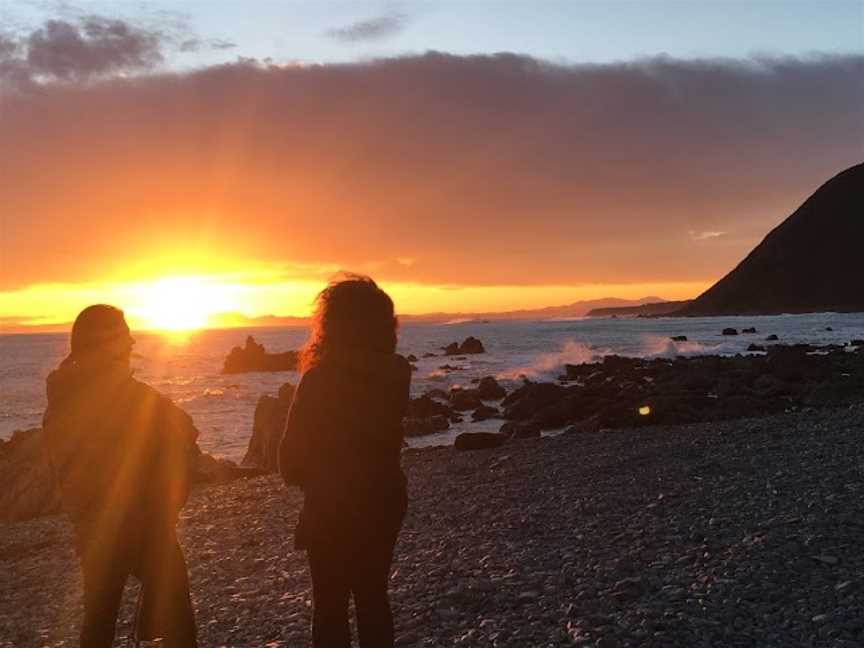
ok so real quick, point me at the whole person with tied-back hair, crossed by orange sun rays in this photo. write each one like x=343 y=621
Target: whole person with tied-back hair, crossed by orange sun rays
x=122 y=455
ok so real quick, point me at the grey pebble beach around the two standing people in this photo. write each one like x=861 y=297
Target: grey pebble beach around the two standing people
x=733 y=533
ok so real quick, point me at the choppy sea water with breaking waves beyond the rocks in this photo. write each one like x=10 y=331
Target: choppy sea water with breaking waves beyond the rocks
x=187 y=368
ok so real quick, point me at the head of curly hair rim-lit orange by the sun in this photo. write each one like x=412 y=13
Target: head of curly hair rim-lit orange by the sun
x=351 y=313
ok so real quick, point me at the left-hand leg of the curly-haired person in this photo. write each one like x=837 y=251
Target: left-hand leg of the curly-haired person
x=330 y=591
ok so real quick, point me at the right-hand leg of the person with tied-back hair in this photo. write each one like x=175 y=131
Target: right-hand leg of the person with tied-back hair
x=166 y=609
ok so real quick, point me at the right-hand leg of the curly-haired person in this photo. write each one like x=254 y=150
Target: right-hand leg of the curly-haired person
x=370 y=577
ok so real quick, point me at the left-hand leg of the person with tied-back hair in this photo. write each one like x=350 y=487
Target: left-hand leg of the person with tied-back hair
x=105 y=571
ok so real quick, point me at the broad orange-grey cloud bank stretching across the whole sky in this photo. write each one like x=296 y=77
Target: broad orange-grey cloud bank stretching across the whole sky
x=484 y=169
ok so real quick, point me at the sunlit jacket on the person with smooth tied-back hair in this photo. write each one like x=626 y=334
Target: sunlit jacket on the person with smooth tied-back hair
x=121 y=452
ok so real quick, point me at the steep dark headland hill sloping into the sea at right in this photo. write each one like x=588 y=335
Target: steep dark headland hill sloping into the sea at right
x=811 y=262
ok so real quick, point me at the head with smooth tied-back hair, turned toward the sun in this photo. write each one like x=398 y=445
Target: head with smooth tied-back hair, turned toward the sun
x=100 y=335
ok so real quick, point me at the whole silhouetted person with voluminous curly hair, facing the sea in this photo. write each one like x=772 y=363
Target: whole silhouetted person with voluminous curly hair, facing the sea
x=342 y=446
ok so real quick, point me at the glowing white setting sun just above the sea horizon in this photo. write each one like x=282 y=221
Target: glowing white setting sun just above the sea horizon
x=177 y=303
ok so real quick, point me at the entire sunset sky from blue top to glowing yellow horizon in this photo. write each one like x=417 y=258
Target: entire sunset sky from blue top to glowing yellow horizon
x=184 y=159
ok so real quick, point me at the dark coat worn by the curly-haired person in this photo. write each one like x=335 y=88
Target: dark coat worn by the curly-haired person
x=342 y=445
